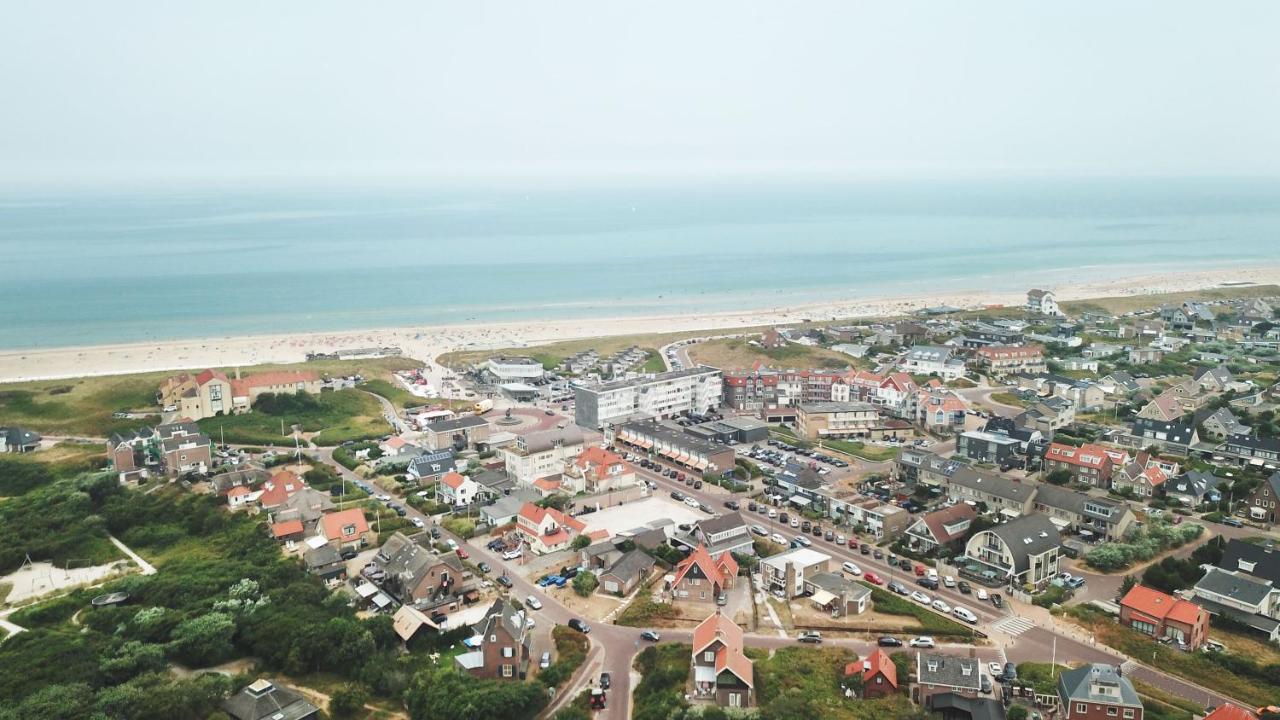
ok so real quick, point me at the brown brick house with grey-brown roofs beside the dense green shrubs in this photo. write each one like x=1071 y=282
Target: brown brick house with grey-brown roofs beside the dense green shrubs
x=418 y=576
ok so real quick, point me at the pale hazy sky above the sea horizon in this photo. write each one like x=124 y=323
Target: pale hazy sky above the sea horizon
x=117 y=90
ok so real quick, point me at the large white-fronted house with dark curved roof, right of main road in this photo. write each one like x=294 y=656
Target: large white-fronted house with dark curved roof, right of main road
x=1022 y=552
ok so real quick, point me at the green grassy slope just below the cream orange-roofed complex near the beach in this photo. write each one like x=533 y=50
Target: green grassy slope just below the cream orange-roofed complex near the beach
x=333 y=417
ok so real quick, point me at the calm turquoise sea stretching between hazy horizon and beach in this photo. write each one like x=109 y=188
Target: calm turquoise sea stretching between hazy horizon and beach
x=93 y=267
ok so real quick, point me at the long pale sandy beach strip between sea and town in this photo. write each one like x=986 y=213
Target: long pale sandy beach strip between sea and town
x=428 y=343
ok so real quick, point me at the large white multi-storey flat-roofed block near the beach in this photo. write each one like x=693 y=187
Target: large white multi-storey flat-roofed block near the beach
x=665 y=395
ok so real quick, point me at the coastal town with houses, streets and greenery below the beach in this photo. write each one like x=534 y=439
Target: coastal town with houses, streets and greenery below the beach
x=1057 y=511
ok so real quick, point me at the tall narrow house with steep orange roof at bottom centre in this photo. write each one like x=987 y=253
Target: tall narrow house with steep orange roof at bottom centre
x=721 y=672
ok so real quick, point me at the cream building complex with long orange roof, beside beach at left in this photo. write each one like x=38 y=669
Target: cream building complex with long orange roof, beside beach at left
x=211 y=393
